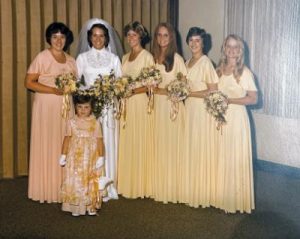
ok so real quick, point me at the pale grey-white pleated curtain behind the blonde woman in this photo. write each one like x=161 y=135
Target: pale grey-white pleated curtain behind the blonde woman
x=271 y=32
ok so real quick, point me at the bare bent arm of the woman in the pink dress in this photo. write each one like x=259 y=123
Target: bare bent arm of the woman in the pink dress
x=31 y=83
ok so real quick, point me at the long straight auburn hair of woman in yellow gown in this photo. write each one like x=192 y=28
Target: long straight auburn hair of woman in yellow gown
x=168 y=61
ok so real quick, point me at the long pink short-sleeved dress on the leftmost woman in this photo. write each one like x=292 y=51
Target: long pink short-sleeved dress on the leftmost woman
x=47 y=130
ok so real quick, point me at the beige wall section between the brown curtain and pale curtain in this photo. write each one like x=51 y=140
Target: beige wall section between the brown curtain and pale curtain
x=207 y=14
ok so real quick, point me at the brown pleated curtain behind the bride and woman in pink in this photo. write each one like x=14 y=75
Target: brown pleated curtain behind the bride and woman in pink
x=22 y=27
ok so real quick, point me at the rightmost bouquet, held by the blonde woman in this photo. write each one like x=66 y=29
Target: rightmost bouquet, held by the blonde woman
x=216 y=106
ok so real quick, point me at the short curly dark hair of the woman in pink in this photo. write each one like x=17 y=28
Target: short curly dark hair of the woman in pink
x=57 y=27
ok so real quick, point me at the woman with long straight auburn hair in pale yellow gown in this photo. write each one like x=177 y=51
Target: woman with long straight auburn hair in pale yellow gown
x=168 y=135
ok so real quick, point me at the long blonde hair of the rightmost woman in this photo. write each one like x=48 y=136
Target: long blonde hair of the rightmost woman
x=238 y=70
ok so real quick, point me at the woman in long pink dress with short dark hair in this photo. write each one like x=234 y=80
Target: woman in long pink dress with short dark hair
x=47 y=125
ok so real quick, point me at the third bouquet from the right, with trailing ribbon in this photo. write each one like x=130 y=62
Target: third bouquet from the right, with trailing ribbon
x=150 y=77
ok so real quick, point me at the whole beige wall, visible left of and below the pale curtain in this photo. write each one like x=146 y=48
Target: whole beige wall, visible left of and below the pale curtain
x=276 y=139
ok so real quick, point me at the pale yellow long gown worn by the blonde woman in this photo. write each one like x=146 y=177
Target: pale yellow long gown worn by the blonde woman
x=235 y=191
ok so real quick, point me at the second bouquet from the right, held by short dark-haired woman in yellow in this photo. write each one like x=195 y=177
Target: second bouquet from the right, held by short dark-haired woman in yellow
x=177 y=90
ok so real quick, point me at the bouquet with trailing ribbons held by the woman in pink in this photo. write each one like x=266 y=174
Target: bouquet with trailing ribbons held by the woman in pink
x=68 y=84
